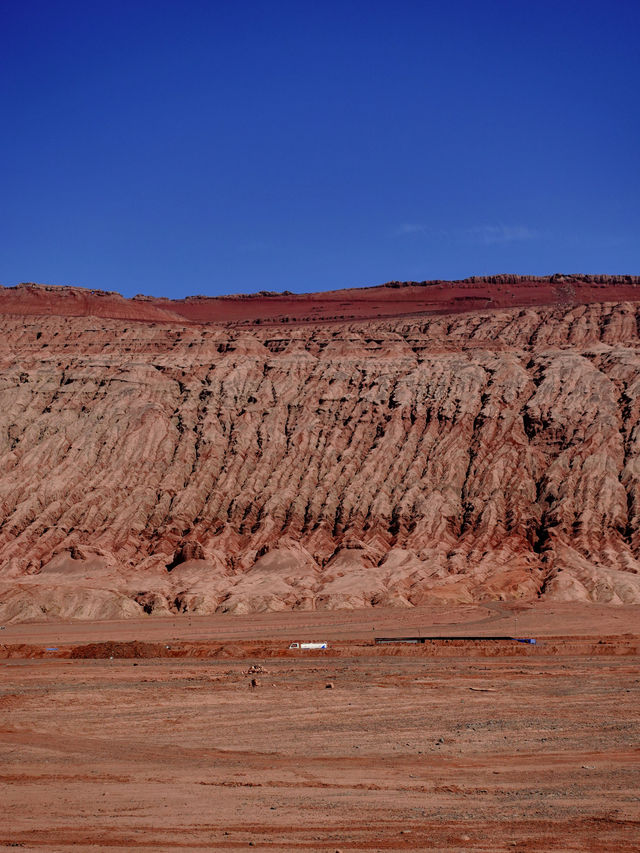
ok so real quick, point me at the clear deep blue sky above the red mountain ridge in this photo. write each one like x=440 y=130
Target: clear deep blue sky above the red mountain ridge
x=173 y=148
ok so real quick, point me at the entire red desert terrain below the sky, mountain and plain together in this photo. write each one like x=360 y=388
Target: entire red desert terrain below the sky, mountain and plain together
x=187 y=486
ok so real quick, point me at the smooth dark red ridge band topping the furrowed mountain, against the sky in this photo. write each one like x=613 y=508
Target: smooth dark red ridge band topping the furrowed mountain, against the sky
x=363 y=303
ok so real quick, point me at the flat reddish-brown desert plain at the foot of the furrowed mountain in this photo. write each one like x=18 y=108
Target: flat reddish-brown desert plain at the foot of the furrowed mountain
x=111 y=740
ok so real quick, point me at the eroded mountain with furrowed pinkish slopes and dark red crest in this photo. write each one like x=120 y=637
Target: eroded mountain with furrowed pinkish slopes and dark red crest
x=410 y=444
